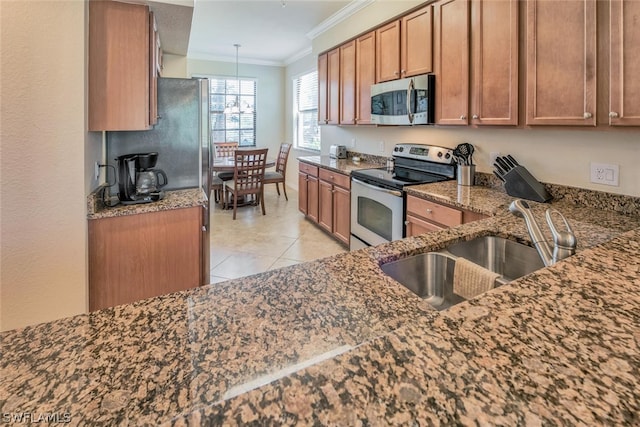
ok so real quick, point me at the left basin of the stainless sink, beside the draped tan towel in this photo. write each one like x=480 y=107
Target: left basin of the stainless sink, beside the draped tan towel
x=428 y=275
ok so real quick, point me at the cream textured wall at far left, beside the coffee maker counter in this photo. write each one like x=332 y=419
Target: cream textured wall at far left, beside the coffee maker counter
x=43 y=242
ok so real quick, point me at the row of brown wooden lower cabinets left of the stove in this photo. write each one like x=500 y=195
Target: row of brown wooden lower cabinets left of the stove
x=324 y=196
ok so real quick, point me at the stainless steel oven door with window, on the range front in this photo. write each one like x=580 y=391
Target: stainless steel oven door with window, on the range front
x=376 y=214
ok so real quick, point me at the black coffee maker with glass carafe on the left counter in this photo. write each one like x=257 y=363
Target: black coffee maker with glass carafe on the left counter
x=138 y=182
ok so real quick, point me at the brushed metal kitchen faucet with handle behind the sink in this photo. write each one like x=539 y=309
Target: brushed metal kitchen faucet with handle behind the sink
x=564 y=242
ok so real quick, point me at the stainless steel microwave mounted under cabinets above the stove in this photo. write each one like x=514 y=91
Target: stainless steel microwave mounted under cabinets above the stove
x=407 y=101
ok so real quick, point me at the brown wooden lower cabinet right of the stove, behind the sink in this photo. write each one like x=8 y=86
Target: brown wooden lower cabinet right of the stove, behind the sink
x=425 y=215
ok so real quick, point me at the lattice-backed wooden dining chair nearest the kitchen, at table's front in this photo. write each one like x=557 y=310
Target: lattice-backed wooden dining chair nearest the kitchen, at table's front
x=248 y=174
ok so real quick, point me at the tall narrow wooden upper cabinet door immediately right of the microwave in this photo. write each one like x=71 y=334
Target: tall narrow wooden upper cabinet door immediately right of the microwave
x=451 y=49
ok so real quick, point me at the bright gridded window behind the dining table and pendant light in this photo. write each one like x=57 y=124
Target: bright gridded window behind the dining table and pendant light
x=233 y=112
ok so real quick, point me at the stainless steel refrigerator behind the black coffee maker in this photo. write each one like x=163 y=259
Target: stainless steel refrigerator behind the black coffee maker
x=181 y=137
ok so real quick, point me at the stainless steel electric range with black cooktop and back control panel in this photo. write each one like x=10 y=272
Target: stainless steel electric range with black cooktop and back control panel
x=377 y=196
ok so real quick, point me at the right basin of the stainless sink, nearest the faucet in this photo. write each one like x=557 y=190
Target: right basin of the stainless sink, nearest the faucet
x=503 y=256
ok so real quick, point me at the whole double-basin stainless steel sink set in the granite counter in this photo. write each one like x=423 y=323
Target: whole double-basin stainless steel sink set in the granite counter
x=430 y=275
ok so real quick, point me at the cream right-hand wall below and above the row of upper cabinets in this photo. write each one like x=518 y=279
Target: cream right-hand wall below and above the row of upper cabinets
x=560 y=156
